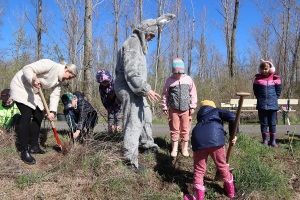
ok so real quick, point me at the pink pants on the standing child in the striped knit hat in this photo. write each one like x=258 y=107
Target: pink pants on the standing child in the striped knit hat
x=180 y=124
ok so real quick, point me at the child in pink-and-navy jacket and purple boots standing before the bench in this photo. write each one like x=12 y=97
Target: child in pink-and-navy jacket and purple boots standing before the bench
x=267 y=89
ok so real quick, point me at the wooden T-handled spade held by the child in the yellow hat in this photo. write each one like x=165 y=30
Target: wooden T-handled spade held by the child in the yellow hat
x=236 y=122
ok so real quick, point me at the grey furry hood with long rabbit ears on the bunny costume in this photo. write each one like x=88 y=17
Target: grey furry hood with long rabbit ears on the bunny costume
x=150 y=26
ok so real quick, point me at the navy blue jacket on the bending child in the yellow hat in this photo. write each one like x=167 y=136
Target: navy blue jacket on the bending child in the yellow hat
x=209 y=131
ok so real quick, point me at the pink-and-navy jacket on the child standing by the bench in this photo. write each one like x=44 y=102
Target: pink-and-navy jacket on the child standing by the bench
x=267 y=91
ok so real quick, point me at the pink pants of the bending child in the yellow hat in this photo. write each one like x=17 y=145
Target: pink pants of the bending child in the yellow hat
x=218 y=155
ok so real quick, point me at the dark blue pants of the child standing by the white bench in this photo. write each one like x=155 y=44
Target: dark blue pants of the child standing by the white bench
x=267 y=119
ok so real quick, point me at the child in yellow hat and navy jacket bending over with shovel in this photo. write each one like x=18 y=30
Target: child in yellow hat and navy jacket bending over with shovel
x=208 y=139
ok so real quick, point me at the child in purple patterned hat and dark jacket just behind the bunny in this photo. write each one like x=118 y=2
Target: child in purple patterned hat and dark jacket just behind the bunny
x=109 y=100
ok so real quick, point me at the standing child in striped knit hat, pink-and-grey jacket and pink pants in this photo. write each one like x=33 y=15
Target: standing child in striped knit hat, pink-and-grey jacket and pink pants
x=179 y=101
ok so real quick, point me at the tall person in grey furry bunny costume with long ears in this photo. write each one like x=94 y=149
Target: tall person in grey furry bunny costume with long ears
x=132 y=88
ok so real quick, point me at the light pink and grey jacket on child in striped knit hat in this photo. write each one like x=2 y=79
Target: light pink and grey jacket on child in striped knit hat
x=179 y=94
